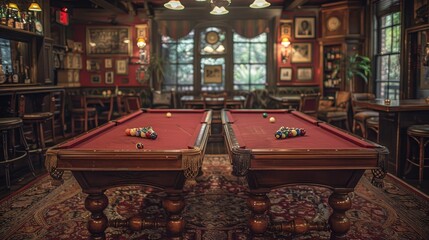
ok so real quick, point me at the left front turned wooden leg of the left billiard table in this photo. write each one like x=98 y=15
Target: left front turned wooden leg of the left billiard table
x=97 y=224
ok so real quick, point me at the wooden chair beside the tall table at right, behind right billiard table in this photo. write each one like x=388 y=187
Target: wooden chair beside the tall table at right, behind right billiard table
x=360 y=115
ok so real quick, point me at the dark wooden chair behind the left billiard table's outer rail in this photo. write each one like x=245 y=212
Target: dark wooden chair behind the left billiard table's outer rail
x=82 y=113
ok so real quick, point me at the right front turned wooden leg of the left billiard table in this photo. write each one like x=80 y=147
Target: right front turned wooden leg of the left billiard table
x=173 y=205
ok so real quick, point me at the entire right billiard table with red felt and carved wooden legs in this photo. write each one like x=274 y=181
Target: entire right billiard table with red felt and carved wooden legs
x=324 y=156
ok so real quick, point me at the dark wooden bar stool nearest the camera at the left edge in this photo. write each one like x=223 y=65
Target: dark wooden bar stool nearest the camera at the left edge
x=7 y=127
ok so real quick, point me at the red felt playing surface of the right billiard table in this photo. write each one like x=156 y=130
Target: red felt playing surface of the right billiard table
x=253 y=131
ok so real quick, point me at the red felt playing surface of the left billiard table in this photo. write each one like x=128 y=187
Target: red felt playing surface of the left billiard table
x=177 y=132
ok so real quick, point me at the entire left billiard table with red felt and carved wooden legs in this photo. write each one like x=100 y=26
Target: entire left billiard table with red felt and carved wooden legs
x=106 y=157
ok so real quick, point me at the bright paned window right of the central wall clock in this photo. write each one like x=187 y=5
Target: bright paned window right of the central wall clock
x=250 y=62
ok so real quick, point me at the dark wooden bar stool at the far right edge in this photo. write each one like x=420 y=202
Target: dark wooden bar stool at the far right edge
x=420 y=134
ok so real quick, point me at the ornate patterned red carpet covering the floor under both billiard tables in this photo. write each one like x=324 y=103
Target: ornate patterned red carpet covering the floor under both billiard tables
x=215 y=209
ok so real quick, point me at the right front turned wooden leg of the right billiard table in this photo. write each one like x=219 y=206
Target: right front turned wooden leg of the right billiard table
x=340 y=202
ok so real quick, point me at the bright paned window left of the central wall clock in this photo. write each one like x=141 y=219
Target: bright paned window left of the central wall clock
x=179 y=63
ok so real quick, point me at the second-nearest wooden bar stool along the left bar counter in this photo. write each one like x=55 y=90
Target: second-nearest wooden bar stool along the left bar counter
x=37 y=120
